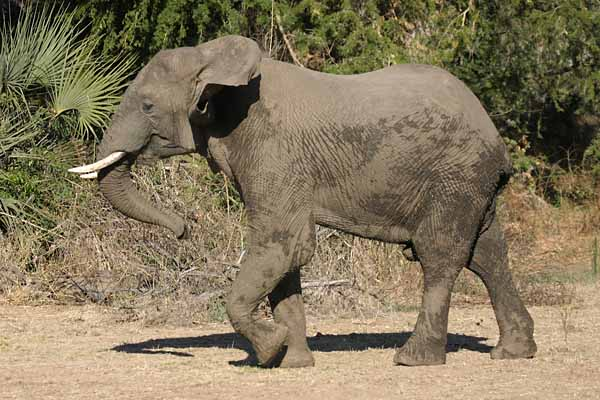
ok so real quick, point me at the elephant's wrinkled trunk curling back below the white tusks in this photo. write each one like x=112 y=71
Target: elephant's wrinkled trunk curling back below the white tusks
x=117 y=186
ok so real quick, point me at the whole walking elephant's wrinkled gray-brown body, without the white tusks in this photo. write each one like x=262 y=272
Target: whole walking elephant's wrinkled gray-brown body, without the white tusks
x=405 y=154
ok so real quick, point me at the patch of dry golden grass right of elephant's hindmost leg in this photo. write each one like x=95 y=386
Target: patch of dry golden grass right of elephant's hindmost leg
x=550 y=247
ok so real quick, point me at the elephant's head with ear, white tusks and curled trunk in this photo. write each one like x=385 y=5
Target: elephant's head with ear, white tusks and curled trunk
x=162 y=113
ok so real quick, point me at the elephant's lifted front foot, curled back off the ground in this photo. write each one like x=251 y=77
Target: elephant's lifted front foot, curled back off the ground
x=267 y=339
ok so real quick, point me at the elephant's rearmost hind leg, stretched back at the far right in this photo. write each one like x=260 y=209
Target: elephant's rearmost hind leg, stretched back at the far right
x=490 y=263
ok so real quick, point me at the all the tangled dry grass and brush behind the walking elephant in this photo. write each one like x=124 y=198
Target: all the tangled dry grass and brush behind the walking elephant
x=102 y=257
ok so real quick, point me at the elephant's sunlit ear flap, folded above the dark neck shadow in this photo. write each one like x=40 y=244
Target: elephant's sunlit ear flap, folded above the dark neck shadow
x=229 y=61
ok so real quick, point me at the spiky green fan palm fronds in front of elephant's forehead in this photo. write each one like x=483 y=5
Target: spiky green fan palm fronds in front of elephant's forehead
x=45 y=49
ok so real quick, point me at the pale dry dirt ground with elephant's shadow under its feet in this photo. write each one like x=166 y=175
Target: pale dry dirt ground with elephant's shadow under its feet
x=55 y=352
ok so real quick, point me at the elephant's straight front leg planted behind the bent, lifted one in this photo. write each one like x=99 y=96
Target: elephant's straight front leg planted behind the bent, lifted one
x=288 y=309
